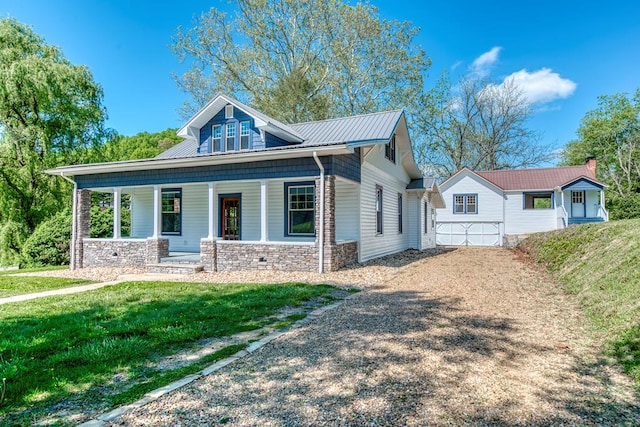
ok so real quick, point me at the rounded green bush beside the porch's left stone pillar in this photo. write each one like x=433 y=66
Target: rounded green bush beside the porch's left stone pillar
x=49 y=243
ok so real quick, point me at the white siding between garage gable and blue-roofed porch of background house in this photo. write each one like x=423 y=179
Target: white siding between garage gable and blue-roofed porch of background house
x=522 y=221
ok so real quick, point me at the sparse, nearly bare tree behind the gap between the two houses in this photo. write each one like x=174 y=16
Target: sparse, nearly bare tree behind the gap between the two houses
x=477 y=124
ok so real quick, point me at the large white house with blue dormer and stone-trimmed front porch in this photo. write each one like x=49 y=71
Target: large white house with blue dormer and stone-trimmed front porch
x=245 y=191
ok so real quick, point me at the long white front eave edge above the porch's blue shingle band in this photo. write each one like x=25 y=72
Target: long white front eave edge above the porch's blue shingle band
x=203 y=160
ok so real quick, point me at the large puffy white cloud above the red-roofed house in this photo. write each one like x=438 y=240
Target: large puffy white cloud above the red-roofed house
x=543 y=85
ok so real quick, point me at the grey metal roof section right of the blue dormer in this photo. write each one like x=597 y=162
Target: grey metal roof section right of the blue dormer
x=363 y=128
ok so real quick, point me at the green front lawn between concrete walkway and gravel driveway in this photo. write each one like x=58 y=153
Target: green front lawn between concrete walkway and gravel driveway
x=69 y=347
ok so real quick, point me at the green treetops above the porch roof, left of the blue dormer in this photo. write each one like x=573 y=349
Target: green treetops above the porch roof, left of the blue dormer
x=143 y=145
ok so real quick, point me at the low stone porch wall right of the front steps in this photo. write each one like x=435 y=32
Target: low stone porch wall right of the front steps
x=266 y=256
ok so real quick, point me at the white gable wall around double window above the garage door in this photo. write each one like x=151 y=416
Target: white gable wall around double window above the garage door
x=490 y=200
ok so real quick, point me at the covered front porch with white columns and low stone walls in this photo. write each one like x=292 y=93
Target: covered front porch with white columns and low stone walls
x=285 y=224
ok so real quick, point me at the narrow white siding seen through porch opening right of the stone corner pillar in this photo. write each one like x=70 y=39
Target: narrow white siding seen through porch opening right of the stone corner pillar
x=347 y=210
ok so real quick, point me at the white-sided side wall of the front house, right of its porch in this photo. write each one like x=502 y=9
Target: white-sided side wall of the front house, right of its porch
x=371 y=244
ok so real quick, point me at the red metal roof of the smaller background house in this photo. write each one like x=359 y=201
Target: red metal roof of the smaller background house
x=537 y=179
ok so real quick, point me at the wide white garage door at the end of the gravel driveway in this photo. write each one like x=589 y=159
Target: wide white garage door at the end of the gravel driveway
x=468 y=233
